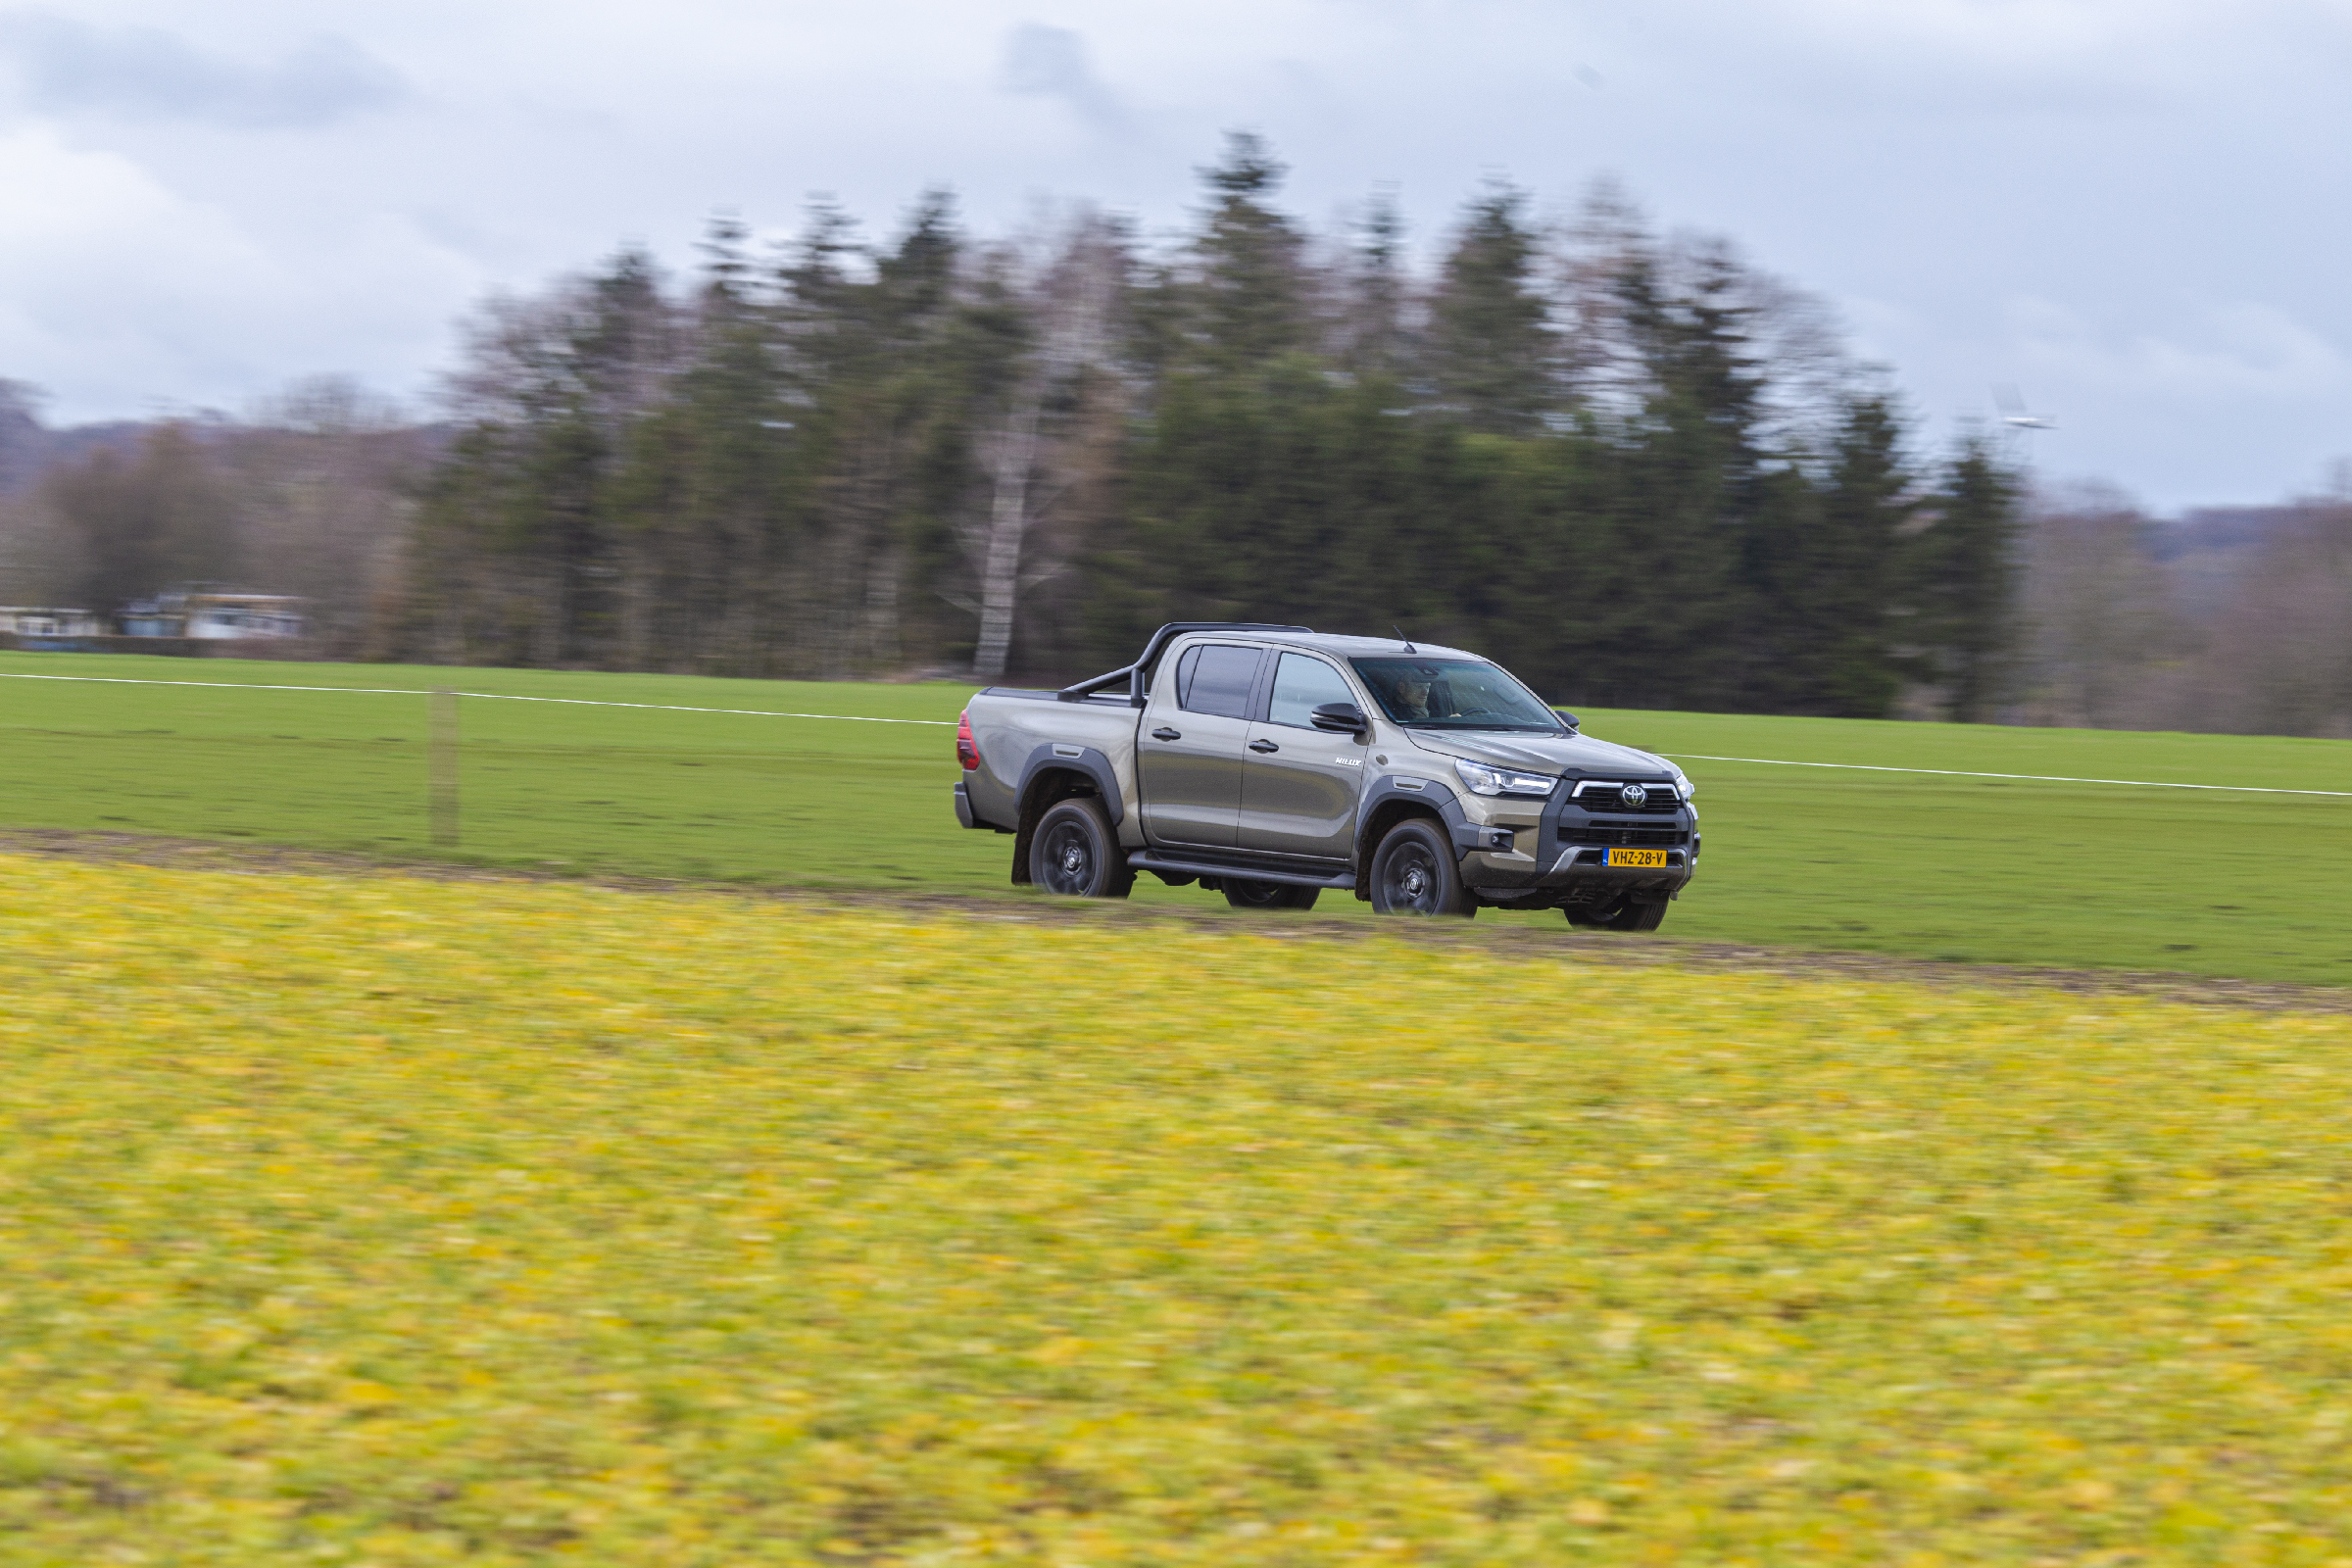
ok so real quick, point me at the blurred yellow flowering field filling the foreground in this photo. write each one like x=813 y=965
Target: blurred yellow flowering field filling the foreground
x=380 y=1221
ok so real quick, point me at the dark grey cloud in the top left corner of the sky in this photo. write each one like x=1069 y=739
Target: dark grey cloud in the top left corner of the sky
x=149 y=74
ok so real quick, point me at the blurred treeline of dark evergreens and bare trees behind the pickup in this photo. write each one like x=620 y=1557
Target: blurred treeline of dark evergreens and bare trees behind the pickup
x=1629 y=464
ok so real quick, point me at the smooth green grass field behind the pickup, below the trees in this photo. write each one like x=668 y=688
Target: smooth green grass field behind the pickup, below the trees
x=1951 y=869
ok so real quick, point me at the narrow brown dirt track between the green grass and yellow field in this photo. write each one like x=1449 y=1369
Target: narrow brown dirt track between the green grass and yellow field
x=1516 y=942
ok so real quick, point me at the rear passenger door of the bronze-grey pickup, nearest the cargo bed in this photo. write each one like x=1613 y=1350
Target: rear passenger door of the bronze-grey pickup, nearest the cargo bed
x=1189 y=751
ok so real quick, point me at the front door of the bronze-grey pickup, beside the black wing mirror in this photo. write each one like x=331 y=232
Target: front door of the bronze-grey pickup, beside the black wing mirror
x=1302 y=784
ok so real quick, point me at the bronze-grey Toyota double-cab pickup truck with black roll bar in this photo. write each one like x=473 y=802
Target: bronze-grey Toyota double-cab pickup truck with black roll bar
x=1274 y=763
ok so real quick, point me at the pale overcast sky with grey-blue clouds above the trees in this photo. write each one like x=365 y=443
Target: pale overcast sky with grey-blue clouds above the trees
x=2134 y=210
